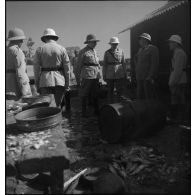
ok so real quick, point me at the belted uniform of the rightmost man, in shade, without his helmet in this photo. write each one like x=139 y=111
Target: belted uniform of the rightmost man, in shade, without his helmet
x=178 y=77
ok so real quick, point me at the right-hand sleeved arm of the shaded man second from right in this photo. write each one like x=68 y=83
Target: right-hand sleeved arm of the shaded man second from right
x=154 y=63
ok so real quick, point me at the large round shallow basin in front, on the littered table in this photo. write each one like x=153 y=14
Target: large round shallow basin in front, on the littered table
x=37 y=119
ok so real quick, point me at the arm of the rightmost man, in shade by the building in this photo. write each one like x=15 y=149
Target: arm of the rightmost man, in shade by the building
x=178 y=69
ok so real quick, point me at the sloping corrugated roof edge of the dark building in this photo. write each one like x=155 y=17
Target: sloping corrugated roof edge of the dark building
x=167 y=7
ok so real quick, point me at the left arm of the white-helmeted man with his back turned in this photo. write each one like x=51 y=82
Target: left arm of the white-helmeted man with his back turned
x=37 y=67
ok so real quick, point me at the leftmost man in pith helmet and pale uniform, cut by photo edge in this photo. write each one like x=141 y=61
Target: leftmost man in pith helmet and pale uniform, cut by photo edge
x=17 y=81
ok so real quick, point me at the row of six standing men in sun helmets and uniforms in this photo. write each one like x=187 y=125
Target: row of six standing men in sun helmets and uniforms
x=52 y=69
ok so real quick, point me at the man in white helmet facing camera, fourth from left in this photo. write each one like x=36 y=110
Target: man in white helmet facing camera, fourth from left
x=114 y=68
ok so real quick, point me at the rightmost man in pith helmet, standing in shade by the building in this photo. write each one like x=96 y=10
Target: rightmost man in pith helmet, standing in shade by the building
x=178 y=78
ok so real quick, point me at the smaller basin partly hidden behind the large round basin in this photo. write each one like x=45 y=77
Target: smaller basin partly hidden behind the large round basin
x=37 y=99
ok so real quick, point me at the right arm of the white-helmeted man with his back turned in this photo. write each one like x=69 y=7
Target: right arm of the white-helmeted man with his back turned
x=66 y=66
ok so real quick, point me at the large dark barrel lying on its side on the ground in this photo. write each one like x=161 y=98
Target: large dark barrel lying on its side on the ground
x=131 y=119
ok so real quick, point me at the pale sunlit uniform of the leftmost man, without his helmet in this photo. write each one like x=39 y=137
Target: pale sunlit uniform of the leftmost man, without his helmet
x=17 y=81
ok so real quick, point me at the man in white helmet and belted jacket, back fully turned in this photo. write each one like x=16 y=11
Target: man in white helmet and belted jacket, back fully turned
x=52 y=67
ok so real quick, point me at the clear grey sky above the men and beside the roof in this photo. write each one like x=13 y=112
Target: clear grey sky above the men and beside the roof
x=73 y=20
